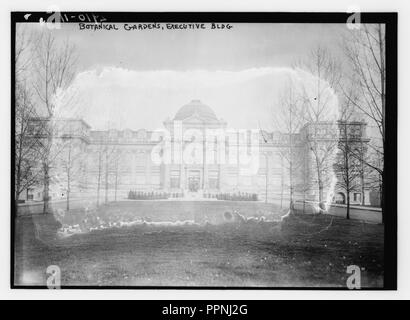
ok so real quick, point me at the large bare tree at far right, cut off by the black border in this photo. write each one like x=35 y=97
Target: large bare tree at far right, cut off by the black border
x=365 y=50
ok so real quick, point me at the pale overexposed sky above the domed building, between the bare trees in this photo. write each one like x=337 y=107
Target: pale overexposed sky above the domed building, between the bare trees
x=137 y=79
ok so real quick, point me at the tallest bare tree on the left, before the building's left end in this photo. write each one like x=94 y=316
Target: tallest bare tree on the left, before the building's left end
x=53 y=65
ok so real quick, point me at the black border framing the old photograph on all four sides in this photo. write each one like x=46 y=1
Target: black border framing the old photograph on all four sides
x=390 y=152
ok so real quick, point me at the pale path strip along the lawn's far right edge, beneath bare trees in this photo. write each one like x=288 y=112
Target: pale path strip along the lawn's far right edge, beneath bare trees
x=368 y=214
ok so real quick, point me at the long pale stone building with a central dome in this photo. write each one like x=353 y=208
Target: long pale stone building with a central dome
x=196 y=156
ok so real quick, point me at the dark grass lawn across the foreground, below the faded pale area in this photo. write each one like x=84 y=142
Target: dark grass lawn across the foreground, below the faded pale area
x=301 y=251
